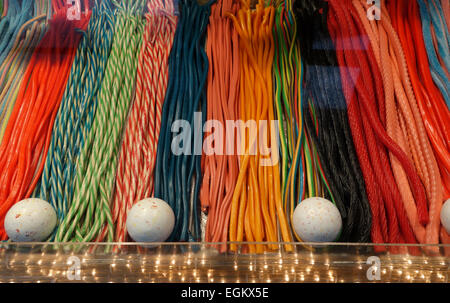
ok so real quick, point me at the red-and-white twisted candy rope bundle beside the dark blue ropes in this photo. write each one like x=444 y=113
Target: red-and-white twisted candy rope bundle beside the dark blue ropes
x=134 y=179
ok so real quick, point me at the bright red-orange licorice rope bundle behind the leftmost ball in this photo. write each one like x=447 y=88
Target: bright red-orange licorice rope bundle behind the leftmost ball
x=27 y=135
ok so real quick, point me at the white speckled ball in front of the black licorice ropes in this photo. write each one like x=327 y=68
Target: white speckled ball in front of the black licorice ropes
x=317 y=220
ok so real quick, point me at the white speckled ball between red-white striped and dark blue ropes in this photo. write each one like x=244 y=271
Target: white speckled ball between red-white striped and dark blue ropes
x=150 y=220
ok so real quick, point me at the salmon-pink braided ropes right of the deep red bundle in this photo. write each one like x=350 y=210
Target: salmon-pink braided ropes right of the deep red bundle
x=403 y=121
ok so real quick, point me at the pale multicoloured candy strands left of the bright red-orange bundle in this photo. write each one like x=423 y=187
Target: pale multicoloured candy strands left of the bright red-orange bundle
x=25 y=40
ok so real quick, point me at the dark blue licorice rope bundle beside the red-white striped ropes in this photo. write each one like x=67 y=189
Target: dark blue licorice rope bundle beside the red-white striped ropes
x=178 y=177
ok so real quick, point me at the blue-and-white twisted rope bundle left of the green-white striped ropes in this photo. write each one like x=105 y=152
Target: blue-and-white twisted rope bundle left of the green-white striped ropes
x=77 y=110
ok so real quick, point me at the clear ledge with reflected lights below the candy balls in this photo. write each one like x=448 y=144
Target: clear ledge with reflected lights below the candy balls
x=199 y=262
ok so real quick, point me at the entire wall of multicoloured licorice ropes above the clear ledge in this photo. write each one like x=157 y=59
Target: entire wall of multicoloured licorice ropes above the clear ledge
x=260 y=121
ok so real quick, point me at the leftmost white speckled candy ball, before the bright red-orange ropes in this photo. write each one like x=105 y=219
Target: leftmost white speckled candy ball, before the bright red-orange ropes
x=30 y=220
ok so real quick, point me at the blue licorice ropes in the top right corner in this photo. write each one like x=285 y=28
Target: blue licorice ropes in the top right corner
x=437 y=72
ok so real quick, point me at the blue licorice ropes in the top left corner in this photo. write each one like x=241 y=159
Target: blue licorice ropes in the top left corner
x=19 y=12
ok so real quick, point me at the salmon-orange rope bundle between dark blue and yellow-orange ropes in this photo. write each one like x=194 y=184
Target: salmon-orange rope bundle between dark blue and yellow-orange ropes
x=220 y=164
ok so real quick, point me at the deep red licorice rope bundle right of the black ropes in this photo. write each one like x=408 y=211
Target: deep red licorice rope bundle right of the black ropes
x=356 y=56
